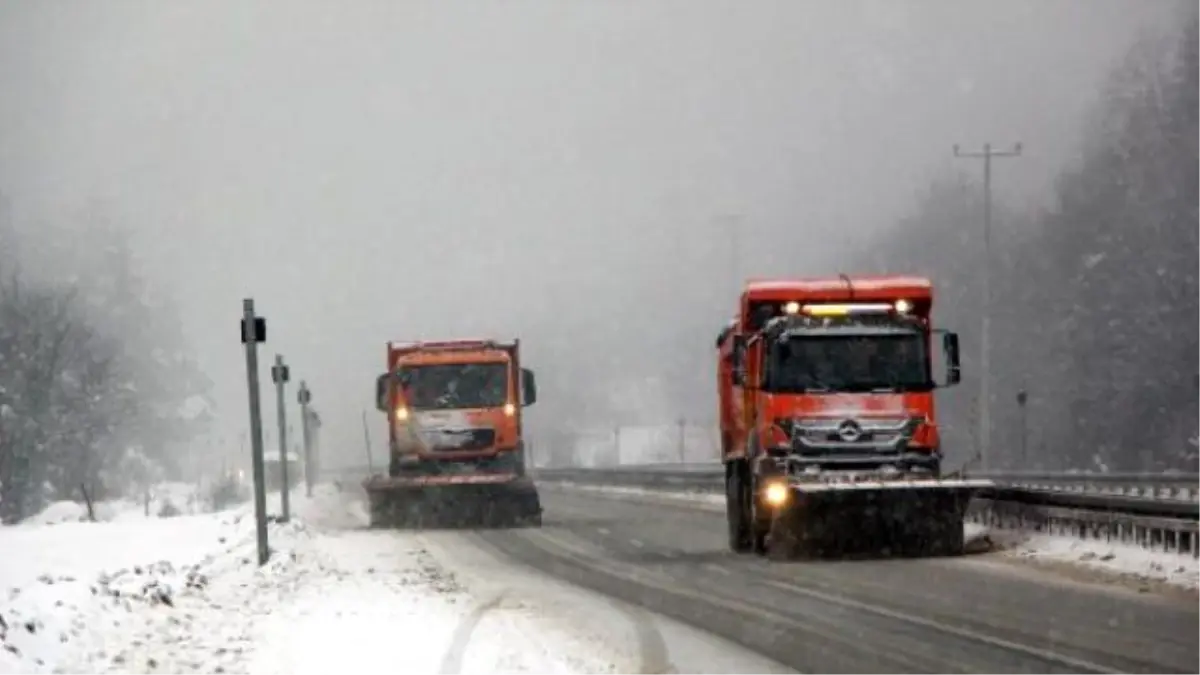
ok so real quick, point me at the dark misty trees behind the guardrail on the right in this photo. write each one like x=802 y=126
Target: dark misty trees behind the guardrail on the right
x=1097 y=297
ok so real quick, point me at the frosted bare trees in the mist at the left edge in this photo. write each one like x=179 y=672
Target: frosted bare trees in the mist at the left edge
x=97 y=387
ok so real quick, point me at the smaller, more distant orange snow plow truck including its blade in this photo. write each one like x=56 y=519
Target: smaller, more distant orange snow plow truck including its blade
x=457 y=450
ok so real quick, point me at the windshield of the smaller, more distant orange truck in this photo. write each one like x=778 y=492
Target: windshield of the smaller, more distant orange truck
x=457 y=386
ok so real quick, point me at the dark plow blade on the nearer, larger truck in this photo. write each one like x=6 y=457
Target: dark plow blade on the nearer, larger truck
x=893 y=518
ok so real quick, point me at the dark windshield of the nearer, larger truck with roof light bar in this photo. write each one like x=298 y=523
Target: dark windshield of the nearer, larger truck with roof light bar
x=850 y=363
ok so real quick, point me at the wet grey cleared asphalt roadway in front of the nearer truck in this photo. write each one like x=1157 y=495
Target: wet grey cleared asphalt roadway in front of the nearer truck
x=975 y=614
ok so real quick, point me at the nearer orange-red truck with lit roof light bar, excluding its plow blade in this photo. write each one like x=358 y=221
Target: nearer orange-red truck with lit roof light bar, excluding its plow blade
x=823 y=378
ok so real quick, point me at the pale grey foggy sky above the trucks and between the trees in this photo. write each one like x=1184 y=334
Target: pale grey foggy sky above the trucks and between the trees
x=591 y=177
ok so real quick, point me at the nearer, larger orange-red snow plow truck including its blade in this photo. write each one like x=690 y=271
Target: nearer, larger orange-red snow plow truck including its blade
x=829 y=432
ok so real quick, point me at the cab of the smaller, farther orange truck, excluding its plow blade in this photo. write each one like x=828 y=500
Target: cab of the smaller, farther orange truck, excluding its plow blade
x=455 y=408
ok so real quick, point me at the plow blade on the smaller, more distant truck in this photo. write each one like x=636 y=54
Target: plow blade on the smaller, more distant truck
x=453 y=501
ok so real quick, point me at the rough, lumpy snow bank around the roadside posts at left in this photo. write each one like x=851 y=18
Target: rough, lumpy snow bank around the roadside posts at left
x=134 y=593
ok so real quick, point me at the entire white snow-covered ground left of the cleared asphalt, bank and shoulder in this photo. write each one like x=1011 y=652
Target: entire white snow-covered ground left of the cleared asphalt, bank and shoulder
x=182 y=595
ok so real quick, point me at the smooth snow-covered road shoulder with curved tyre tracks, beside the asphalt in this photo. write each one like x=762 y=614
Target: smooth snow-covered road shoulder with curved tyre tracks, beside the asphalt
x=494 y=617
